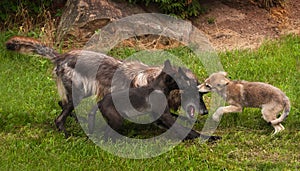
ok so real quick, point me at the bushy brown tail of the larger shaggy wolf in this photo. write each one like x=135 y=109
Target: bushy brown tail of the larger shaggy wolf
x=29 y=45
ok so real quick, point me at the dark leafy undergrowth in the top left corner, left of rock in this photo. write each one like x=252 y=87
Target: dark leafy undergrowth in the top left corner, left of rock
x=27 y=15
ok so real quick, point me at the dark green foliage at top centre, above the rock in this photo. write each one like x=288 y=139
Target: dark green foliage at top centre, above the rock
x=180 y=8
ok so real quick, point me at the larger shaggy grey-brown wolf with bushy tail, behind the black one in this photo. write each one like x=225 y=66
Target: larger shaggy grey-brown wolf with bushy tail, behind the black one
x=81 y=73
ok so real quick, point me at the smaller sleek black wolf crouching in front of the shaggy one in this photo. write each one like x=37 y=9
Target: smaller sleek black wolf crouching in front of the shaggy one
x=149 y=100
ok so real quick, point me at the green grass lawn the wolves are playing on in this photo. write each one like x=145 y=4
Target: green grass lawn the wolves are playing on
x=30 y=141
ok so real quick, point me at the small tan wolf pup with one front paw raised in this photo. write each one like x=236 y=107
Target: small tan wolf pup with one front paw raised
x=240 y=94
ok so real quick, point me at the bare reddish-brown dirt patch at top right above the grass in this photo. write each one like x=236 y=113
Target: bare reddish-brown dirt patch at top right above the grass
x=240 y=24
